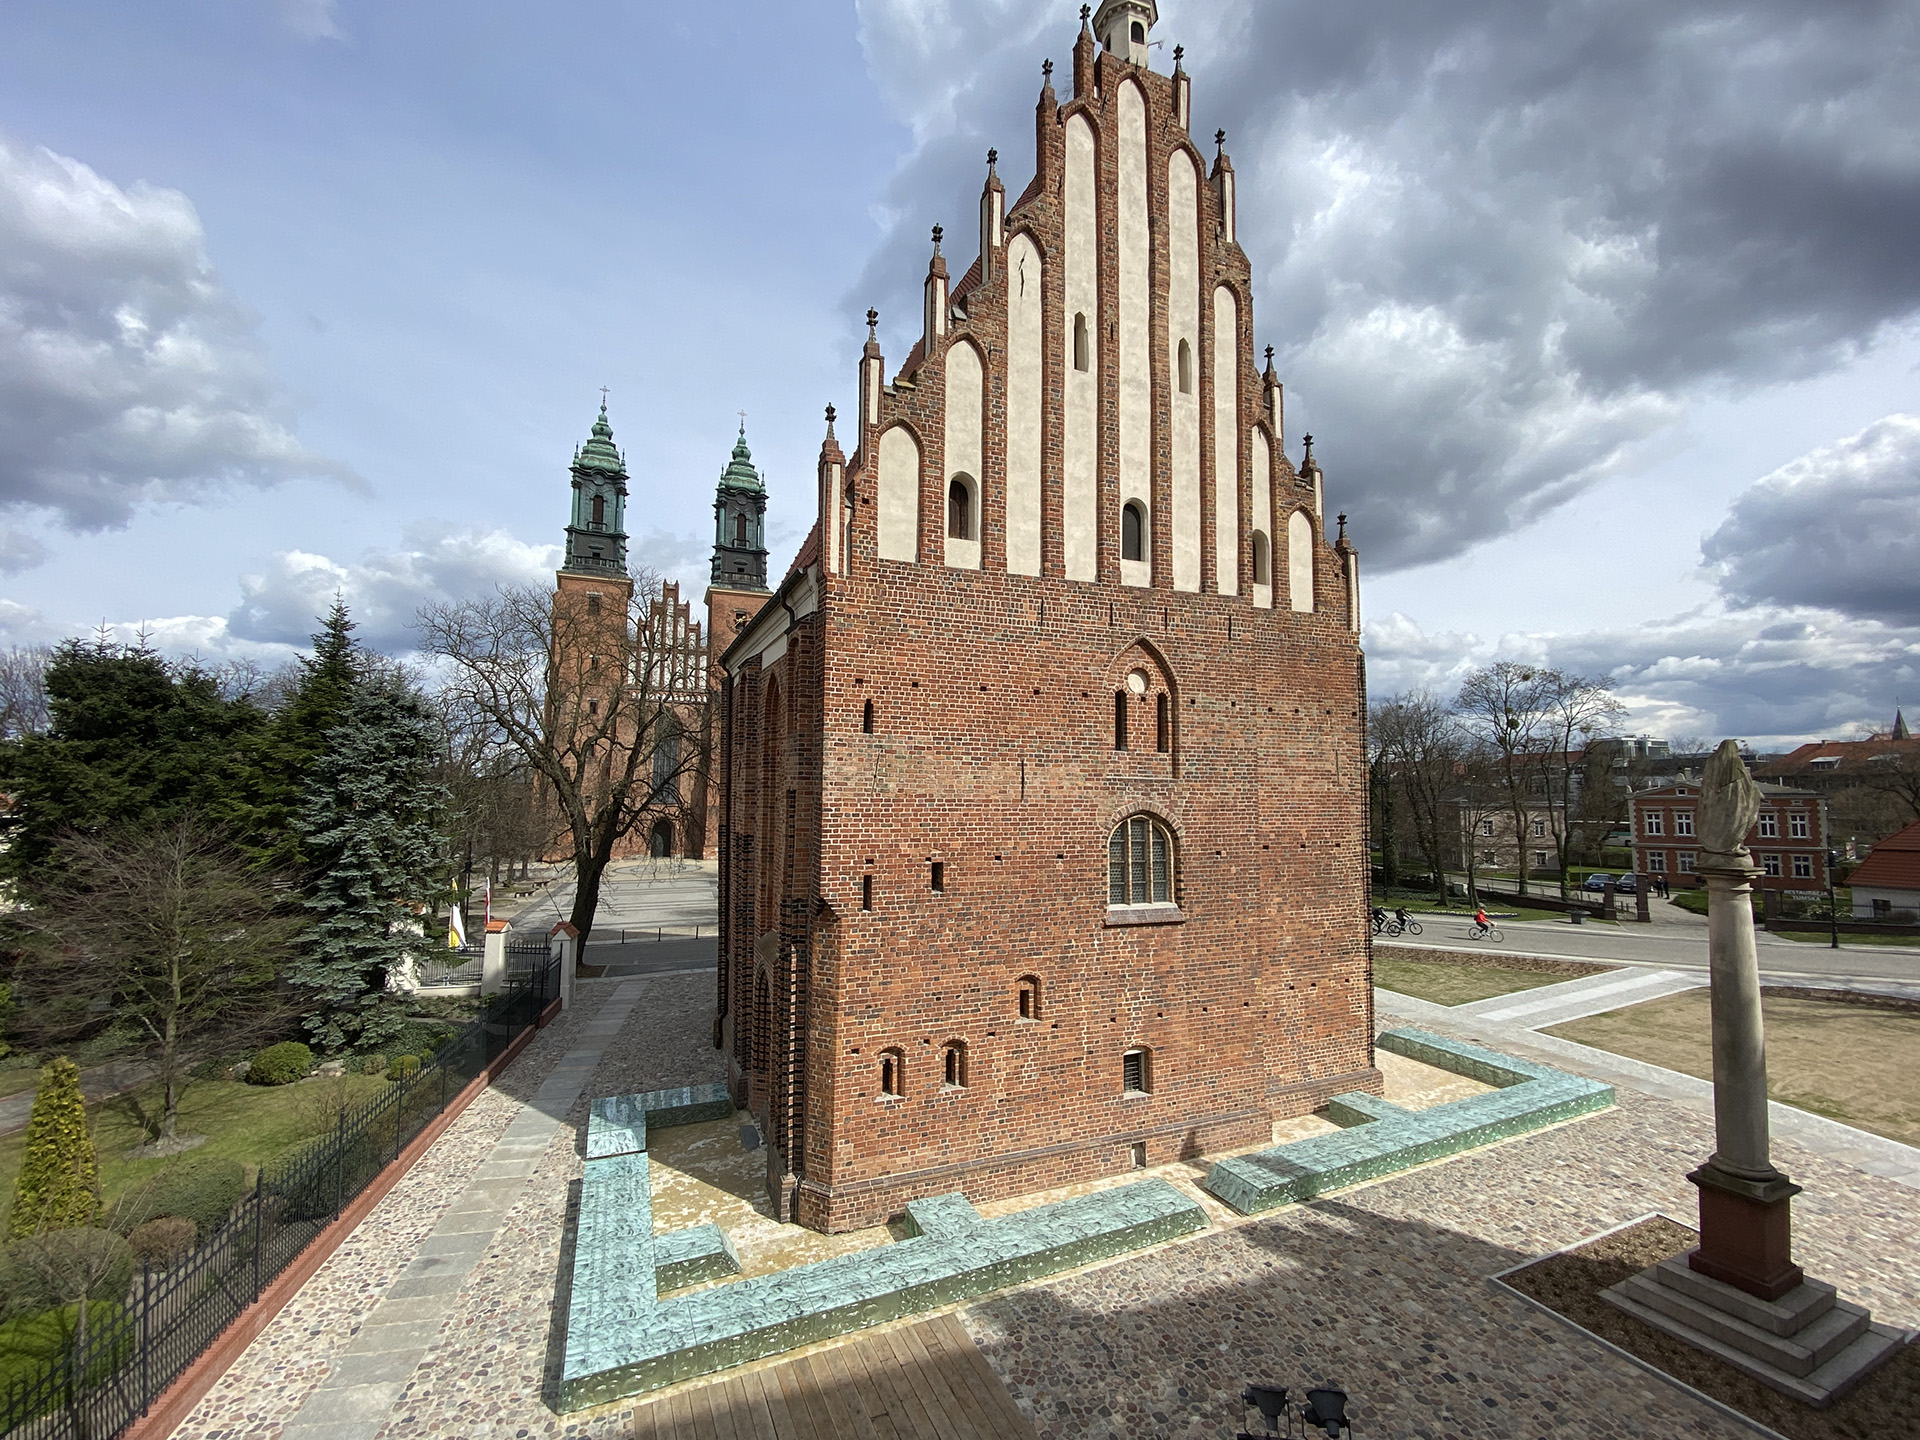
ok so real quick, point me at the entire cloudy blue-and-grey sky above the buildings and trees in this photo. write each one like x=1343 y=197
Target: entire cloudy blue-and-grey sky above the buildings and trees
x=1606 y=316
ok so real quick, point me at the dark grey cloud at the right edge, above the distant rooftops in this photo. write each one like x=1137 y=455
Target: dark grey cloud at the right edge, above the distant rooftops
x=1836 y=529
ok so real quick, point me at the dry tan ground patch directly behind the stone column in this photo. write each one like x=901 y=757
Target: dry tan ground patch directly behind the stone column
x=1848 y=1063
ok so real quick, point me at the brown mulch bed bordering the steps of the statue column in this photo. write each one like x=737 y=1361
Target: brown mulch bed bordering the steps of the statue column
x=1884 y=1406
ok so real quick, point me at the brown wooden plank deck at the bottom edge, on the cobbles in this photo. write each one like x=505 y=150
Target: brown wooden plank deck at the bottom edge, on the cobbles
x=892 y=1385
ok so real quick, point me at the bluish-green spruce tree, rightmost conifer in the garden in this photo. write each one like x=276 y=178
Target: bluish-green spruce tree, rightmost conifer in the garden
x=372 y=827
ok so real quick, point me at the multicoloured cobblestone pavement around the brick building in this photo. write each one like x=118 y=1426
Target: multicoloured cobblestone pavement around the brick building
x=1381 y=1291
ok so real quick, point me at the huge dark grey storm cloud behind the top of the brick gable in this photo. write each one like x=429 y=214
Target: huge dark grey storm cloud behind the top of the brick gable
x=1495 y=243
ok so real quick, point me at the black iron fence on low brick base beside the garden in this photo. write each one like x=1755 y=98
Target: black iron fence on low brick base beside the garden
x=124 y=1356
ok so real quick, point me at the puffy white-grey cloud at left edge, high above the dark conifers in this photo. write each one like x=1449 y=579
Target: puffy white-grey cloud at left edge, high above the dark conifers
x=128 y=373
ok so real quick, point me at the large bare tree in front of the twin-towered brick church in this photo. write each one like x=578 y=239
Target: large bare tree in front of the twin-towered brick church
x=596 y=702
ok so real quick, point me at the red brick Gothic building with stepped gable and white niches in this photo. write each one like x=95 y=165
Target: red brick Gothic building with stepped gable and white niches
x=1042 y=775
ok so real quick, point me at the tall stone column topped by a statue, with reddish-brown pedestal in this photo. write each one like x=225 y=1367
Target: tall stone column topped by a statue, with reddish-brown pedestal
x=1744 y=1203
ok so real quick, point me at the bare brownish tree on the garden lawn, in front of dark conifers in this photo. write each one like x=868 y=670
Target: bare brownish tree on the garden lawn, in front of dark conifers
x=176 y=932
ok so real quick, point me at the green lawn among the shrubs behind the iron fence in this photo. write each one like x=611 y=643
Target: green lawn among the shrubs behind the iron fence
x=252 y=1124
